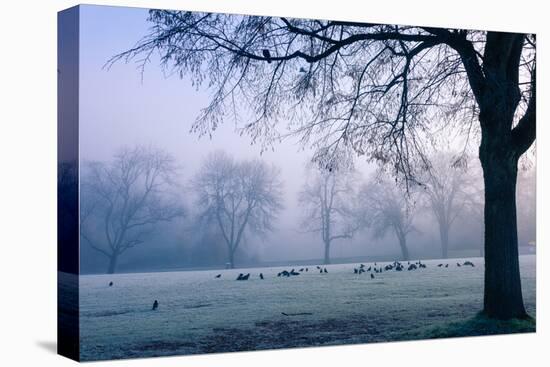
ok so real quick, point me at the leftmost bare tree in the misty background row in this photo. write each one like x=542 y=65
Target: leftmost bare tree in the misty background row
x=124 y=199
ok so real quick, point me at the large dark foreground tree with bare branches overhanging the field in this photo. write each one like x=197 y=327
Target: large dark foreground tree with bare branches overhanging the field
x=376 y=89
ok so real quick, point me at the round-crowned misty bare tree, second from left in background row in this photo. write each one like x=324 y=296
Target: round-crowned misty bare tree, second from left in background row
x=238 y=197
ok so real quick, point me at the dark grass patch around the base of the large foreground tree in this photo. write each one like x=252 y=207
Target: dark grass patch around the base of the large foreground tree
x=478 y=326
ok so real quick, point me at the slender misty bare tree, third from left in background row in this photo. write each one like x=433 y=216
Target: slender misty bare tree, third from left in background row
x=328 y=202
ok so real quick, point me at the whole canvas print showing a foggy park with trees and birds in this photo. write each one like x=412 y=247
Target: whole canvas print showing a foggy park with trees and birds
x=262 y=182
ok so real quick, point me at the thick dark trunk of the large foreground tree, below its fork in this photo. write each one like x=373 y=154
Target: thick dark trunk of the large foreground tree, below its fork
x=503 y=297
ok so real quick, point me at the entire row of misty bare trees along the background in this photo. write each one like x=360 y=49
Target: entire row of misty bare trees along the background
x=125 y=200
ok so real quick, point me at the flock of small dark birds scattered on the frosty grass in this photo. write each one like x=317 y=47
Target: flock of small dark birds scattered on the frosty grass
x=372 y=269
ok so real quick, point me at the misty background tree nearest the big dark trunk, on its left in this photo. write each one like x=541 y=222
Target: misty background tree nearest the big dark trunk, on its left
x=447 y=192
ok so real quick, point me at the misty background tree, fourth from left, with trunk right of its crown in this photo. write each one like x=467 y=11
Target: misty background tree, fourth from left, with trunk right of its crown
x=386 y=207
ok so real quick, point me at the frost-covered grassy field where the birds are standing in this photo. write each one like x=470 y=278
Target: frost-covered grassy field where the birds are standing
x=200 y=314
